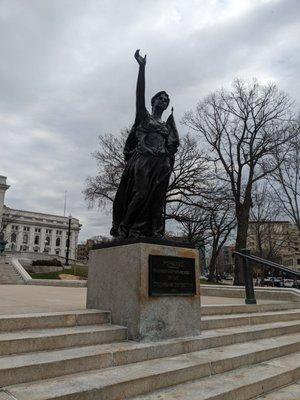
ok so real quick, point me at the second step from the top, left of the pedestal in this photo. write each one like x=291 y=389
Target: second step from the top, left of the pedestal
x=46 y=339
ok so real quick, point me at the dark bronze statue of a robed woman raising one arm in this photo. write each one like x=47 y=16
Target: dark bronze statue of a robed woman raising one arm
x=149 y=154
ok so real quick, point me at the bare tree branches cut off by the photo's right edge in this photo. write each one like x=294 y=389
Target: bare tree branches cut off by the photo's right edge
x=285 y=180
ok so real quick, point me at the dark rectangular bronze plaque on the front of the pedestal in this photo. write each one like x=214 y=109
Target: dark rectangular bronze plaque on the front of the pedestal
x=171 y=276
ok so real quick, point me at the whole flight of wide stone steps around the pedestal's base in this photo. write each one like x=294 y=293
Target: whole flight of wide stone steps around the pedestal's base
x=244 y=352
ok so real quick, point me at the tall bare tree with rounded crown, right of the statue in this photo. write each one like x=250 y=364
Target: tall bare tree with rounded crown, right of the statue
x=243 y=127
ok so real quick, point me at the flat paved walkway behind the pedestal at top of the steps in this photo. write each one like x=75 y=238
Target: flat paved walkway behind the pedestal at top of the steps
x=20 y=299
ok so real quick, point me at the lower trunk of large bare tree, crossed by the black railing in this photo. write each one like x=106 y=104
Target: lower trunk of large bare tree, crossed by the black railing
x=242 y=213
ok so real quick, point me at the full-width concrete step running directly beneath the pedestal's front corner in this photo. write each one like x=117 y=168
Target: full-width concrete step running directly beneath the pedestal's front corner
x=17 y=368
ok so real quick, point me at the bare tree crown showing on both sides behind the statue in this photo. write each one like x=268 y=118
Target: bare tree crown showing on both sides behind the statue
x=188 y=179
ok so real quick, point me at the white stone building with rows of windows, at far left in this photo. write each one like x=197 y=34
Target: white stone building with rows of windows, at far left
x=32 y=232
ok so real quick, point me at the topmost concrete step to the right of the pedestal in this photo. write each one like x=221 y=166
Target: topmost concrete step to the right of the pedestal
x=246 y=308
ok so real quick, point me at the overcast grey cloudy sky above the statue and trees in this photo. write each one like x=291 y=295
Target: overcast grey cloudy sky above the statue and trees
x=67 y=74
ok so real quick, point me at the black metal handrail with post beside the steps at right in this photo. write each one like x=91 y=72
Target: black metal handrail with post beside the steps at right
x=248 y=260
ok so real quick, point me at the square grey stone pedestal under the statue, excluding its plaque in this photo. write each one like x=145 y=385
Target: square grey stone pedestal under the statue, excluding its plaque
x=119 y=281
